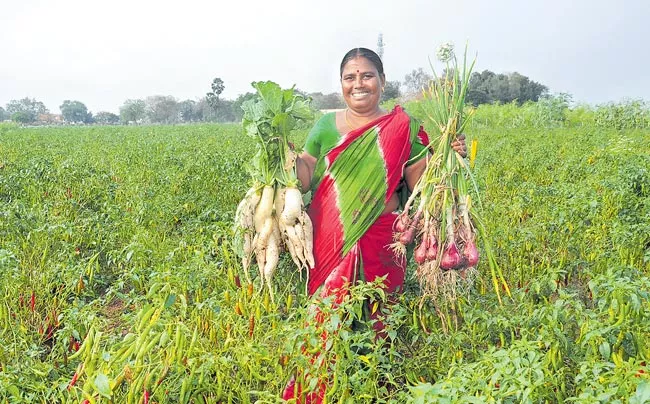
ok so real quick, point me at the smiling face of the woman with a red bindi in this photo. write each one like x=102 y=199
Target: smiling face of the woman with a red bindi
x=361 y=85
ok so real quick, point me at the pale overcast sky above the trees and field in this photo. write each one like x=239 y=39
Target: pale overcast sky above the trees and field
x=104 y=52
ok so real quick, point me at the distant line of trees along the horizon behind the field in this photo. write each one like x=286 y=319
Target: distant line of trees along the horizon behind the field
x=484 y=88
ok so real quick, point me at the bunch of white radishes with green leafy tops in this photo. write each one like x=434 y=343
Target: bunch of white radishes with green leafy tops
x=271 y=217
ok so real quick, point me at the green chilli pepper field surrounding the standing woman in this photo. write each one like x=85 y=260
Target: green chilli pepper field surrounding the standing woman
x=119 y=282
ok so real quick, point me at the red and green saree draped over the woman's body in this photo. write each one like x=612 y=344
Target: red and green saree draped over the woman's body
x=351 y=235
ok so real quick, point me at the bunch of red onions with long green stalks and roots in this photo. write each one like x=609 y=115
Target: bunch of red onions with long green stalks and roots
x=444 y=226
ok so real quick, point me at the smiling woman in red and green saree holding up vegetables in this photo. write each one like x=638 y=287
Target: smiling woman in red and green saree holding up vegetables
x=355 y=162
